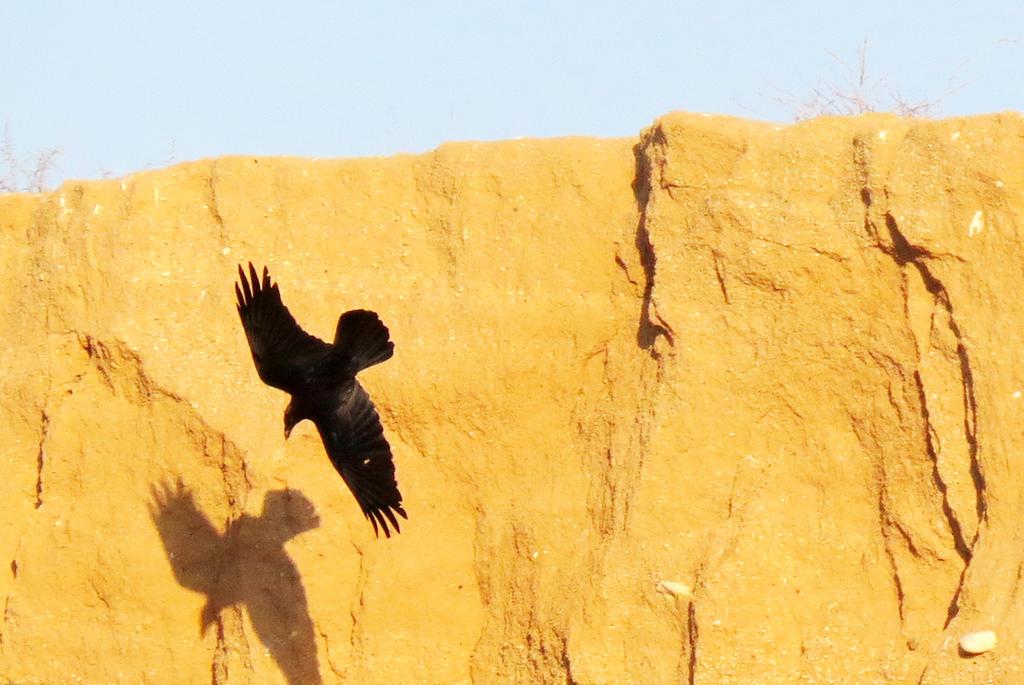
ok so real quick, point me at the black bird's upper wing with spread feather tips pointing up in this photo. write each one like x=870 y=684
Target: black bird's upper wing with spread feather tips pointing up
x=286 y=356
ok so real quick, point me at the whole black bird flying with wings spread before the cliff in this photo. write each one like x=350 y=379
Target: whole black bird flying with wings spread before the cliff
x=321 y=378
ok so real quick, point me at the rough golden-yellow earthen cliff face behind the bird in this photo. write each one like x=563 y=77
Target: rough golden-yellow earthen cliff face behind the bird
x=781 y=366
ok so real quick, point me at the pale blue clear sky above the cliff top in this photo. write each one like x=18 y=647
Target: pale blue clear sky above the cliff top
x=120 y=87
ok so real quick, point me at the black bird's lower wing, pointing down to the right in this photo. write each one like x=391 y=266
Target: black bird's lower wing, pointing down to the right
x=356 y=444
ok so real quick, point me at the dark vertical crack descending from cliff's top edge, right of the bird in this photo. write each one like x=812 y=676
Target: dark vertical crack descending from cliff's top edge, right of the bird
x=653 y=326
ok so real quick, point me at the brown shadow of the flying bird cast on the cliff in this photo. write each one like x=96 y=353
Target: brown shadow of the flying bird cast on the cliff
x=247 y=565
